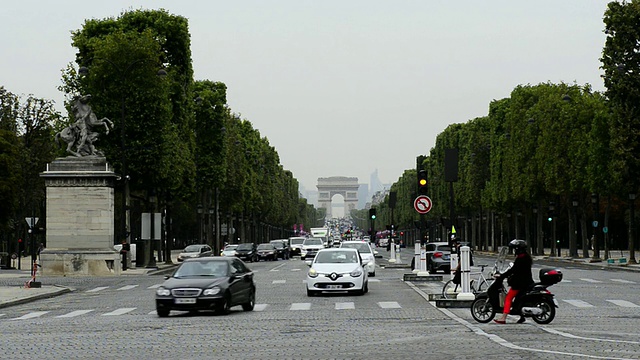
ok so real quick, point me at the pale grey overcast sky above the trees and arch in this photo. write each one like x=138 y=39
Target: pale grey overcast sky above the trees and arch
x=340 y=88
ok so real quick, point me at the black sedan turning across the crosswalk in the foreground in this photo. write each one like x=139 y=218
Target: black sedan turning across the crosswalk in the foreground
x=207 y=283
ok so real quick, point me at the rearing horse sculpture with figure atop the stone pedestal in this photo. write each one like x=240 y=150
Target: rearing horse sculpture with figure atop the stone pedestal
x=80 y=134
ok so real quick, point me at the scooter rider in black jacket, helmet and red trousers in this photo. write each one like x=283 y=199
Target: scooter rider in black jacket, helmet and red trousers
x=518 y=277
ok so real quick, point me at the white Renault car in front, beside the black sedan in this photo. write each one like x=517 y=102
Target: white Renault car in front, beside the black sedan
x=337 y=269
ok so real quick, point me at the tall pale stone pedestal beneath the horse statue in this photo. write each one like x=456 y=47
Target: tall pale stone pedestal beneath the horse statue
x=80 y=218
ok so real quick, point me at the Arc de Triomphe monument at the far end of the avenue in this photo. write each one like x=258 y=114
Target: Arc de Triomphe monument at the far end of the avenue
x=345 y=186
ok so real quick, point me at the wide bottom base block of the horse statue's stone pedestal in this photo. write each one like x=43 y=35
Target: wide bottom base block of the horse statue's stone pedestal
x=80 y=262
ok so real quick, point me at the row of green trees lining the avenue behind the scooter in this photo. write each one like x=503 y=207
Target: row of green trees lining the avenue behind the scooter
x=555 y=164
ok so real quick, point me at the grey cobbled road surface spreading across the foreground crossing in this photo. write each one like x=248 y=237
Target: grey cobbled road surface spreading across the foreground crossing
x=114 y=318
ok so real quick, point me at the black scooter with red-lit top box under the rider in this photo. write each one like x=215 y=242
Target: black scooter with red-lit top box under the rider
x=536 y=302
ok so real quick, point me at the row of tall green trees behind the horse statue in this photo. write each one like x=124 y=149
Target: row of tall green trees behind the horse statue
x=177 y=141
